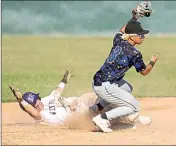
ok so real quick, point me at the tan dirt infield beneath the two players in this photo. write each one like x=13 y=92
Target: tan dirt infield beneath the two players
x=19 y=129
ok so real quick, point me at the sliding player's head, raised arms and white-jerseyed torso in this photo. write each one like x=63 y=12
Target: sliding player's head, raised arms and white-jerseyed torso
x=46 y=109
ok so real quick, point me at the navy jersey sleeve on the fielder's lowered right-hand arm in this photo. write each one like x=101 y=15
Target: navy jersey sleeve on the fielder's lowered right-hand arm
x=138 y=62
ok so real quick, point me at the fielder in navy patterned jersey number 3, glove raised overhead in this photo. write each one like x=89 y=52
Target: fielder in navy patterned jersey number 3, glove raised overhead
x=108 y=82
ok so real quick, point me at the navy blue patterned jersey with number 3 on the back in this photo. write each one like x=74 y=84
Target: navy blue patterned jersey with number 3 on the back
x=121 y=58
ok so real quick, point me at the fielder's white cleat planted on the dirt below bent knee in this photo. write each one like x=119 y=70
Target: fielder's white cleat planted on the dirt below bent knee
x=103 y=124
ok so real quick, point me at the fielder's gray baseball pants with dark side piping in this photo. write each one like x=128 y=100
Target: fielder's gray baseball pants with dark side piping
x=118 y=97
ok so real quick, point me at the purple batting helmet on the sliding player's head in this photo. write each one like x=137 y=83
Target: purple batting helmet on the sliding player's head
x=31 y=98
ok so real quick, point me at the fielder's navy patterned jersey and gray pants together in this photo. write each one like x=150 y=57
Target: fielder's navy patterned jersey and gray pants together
x=106 y=80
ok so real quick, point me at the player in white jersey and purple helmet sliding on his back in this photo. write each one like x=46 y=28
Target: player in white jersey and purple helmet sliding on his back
x=54 y=109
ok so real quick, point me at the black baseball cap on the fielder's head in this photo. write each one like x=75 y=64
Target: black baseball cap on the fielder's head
x=135 y=28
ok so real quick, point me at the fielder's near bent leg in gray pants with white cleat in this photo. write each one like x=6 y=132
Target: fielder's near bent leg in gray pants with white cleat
x=125 y=103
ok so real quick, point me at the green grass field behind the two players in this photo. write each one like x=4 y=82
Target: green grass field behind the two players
x=38 y=63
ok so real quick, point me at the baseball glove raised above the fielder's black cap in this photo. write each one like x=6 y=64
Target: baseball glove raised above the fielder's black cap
x=144 y=9
